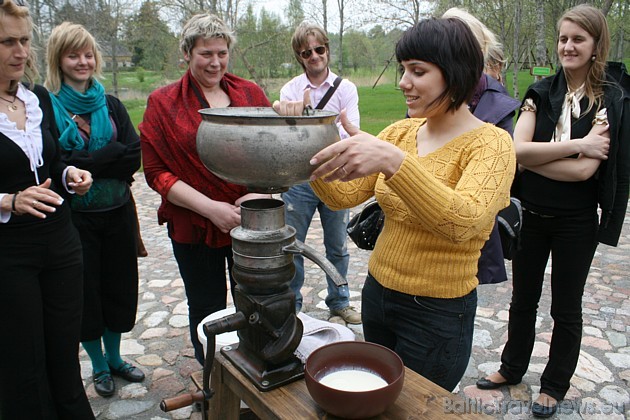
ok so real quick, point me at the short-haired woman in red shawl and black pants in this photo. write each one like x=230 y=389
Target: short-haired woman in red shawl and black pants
x=199 y=208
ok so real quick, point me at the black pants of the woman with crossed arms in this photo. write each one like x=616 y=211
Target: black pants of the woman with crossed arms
x=572 y=243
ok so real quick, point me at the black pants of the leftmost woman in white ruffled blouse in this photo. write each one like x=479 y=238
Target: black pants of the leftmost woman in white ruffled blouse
x=41 y=296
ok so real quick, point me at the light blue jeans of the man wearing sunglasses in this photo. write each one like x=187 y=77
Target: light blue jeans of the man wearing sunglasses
x=300 y=205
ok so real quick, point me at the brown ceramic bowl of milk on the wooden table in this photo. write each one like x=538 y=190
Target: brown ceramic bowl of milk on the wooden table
x=354 y=379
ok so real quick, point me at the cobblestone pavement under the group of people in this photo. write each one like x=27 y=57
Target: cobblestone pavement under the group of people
x=160 y=345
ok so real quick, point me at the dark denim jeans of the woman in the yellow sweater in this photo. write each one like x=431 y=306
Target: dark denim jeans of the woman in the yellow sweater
x=432 y=336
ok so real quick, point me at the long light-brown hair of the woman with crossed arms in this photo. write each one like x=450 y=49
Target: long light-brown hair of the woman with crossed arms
x=593 y=21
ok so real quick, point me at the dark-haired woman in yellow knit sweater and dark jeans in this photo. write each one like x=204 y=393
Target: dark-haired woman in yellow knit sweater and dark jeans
x=440 y=177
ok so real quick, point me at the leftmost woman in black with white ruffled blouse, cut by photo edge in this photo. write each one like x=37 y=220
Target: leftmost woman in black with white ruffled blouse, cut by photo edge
x=41 y=281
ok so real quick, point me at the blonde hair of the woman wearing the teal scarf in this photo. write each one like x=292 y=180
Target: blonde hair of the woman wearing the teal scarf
x=65 y=37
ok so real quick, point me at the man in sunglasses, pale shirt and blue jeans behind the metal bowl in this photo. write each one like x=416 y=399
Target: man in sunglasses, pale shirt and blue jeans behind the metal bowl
x=310 y=46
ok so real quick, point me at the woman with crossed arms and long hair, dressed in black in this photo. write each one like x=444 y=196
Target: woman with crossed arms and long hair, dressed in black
x=572 y=143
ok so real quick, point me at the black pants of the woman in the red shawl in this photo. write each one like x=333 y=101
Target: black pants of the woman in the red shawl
x=203 y=271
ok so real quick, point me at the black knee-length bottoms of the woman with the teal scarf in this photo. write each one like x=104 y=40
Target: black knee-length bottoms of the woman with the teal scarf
x=110 y=270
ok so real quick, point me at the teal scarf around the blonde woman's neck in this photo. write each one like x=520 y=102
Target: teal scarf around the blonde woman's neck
x=91 y=102
